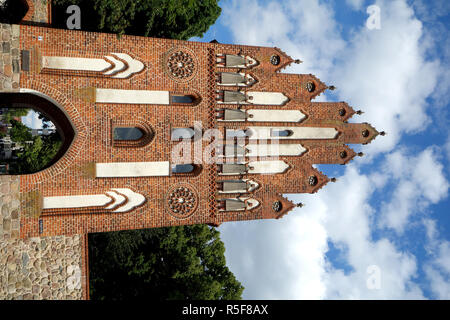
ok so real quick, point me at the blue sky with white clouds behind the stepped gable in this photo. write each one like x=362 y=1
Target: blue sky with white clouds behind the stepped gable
x=382 y=231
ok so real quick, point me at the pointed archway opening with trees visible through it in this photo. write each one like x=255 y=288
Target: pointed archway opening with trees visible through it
x=25 y=149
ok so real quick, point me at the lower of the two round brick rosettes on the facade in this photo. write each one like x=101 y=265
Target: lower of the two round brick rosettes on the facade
x=182 y=200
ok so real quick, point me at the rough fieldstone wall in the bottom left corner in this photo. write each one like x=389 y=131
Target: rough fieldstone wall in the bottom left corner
x=42 y=268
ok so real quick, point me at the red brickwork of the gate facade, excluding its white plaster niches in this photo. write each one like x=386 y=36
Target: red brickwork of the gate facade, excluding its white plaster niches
x=93 y=124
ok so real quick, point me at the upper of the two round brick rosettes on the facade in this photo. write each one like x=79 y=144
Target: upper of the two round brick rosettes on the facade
x=181 y=64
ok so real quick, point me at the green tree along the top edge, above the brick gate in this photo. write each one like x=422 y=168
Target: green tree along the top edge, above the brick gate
x=175 y=19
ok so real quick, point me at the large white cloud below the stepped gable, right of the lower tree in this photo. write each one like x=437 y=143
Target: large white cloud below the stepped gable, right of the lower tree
x=285 y=259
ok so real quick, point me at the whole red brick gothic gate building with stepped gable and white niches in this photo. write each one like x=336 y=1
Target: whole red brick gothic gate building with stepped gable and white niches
x=160 y=132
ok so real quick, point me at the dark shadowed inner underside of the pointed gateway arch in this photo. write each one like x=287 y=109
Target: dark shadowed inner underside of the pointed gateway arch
x=46 y=106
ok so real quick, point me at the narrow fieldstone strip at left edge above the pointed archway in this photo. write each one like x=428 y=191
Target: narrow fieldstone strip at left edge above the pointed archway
x=9 y=57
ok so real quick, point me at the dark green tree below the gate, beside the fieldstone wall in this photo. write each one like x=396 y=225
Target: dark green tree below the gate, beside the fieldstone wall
x=185 y=262
